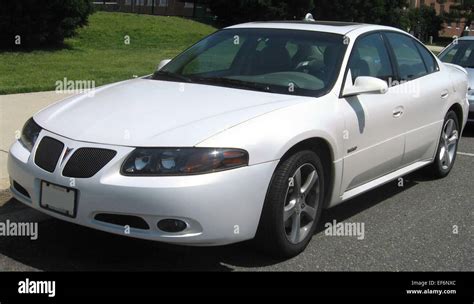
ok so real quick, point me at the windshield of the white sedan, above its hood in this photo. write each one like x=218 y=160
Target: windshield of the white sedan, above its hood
x=290 y=62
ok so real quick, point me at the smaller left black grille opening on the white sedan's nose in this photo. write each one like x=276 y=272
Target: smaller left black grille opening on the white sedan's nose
x=48 y=153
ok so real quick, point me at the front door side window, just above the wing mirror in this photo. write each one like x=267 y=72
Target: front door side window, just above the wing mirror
x=370 y=58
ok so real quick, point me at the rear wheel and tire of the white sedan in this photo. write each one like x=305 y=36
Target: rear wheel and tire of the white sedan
x=449 y=139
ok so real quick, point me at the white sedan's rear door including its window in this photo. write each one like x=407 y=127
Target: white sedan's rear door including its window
x=426 y=93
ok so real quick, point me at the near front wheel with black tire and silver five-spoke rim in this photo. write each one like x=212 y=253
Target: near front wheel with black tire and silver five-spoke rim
x=281 y=238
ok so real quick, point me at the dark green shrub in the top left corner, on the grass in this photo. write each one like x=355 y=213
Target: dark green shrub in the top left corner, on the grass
x=40 y=23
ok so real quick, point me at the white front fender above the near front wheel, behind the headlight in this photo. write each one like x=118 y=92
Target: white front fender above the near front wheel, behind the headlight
x=269 y=137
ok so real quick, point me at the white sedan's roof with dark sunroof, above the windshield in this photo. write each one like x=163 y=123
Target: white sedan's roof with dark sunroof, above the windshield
x=335 y=27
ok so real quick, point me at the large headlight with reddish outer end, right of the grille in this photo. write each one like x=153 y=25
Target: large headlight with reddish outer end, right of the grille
x=182 y=161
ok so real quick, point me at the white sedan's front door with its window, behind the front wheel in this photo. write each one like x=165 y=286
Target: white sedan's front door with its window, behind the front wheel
x=374 y=137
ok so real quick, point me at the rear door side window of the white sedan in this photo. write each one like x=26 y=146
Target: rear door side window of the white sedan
x=409 y=61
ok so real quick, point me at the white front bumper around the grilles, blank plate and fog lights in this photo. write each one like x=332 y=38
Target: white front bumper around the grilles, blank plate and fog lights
x=219 y=208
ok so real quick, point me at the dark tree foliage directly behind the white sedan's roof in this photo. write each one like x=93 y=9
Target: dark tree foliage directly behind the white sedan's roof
x=392 y=13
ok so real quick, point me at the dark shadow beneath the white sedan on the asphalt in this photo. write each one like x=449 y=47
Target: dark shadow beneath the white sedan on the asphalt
x=63 y=246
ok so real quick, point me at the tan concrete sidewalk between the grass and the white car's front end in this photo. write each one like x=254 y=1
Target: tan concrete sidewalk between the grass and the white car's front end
x=14 y=111
